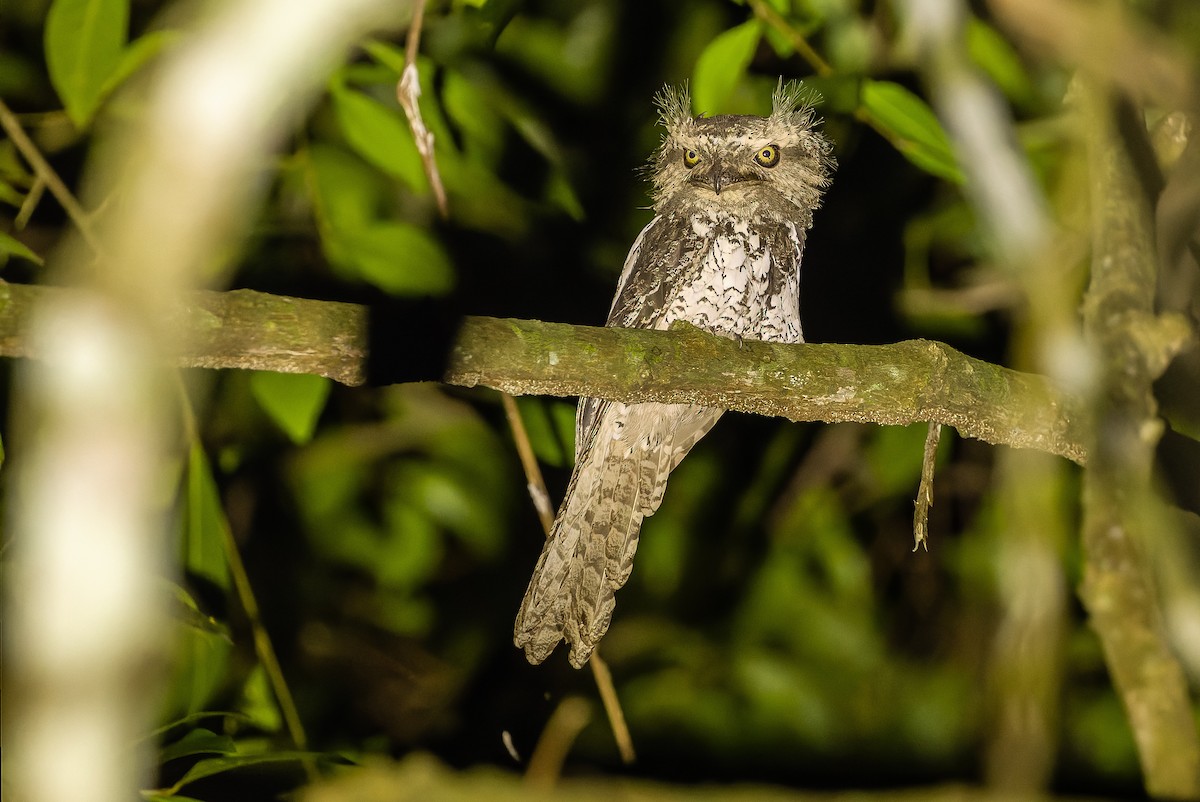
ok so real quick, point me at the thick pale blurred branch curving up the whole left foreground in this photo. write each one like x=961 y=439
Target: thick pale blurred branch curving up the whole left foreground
x=87 y=632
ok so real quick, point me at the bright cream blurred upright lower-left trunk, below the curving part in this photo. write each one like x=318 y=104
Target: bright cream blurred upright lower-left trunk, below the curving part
x=85 y=625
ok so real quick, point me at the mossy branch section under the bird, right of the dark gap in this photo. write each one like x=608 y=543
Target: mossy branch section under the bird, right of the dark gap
x=903 y=384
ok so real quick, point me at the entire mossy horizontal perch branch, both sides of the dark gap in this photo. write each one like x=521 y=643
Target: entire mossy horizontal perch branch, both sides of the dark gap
x=903 y=384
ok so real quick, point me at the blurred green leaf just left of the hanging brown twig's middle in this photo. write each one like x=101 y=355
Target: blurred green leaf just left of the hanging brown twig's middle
x=380 y=135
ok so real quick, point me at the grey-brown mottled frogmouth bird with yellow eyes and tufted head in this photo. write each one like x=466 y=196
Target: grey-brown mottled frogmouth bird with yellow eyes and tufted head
x=734 y=199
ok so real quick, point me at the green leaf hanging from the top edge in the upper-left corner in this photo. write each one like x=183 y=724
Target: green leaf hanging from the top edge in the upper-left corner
x=85 y=40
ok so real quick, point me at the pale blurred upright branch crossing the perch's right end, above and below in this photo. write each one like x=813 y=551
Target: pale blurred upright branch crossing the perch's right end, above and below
x=1024 y=665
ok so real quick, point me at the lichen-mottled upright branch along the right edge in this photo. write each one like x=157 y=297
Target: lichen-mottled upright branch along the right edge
x=1131 y=348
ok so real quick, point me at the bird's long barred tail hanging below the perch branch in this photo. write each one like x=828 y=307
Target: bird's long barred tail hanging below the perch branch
x=621 y=475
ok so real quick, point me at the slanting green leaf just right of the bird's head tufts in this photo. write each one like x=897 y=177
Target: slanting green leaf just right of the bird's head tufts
x=911 y=127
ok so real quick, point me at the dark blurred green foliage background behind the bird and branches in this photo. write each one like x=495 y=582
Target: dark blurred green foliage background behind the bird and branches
x=777 y=626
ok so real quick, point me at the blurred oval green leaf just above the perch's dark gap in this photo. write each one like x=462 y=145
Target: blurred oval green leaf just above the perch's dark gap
x=399 y=259
